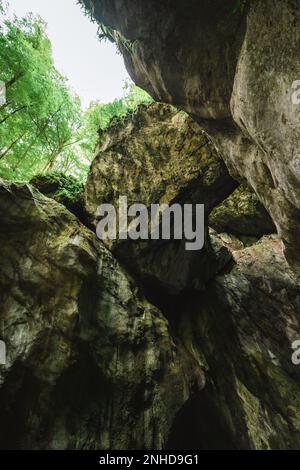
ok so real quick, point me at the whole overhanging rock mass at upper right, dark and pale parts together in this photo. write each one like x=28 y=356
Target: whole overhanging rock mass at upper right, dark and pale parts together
x=233 y=70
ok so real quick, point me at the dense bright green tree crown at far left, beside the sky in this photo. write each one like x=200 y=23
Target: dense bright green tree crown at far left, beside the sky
x=39 y=118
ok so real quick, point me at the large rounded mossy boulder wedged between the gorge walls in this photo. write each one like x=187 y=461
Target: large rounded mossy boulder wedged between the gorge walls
x=160 y=156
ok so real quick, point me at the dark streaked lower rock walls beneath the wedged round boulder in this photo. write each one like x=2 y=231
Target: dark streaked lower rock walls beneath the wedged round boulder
x=212 y=369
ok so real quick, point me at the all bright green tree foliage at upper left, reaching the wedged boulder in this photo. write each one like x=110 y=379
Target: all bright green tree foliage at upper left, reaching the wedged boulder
x=42 y=125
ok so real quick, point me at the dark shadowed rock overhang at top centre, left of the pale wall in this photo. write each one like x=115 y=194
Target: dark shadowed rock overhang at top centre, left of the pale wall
x=182 y=53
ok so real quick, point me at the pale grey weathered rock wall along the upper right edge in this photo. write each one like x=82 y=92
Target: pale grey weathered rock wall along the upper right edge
x=262 y=105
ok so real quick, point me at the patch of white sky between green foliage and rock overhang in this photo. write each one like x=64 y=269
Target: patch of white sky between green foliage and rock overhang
x=95 y=70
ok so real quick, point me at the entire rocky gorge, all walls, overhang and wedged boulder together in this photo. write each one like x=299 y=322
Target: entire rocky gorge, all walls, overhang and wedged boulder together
x=142 y=344
